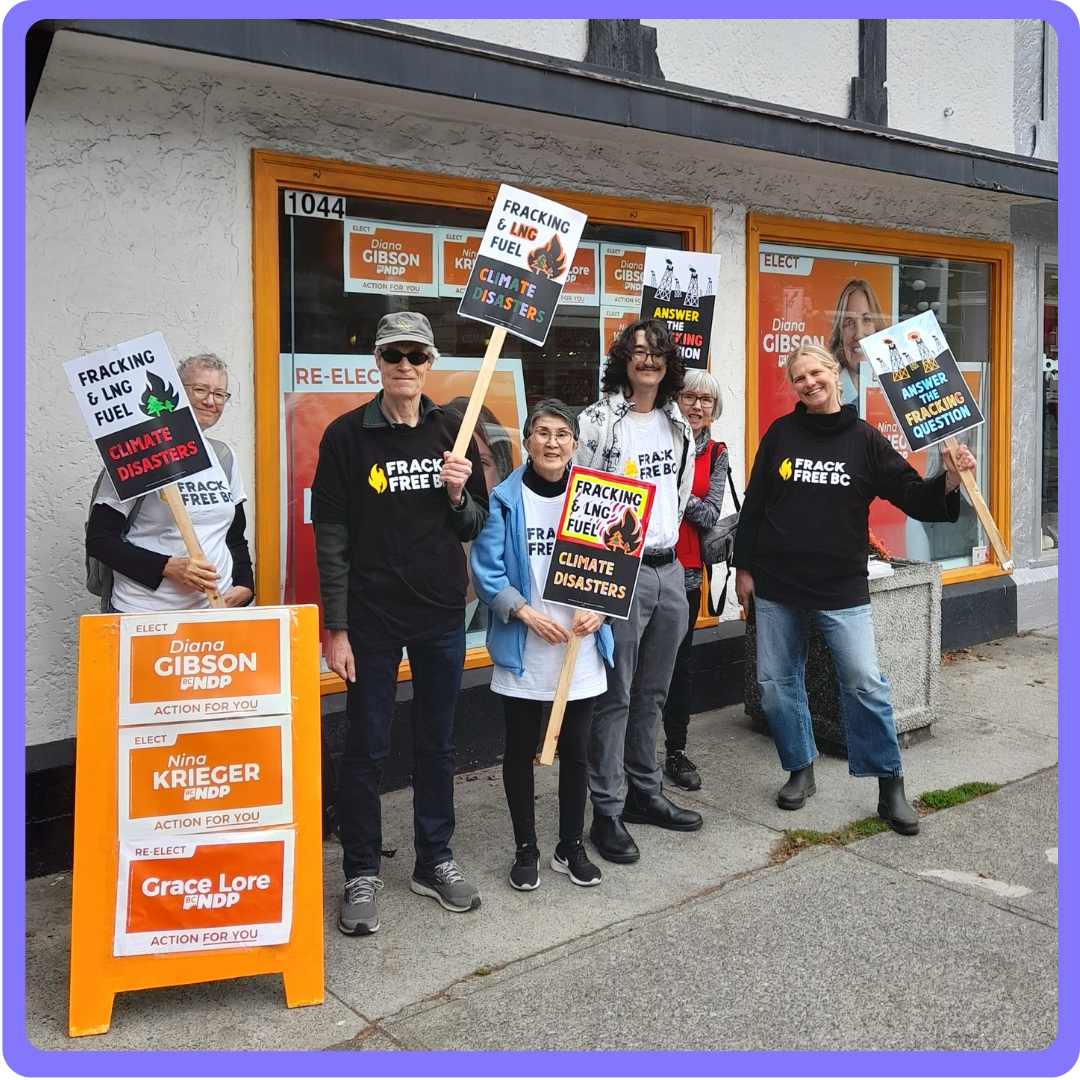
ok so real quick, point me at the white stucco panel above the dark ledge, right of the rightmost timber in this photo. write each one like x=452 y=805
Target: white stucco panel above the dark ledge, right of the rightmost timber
x=961 y=65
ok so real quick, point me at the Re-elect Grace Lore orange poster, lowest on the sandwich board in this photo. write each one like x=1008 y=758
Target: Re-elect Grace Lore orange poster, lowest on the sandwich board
x=192 y=894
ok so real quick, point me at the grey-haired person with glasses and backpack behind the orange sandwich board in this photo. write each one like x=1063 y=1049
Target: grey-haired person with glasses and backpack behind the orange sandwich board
x=141 y=543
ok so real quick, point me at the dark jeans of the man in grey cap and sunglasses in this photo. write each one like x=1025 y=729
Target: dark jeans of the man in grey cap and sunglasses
x=437 y=667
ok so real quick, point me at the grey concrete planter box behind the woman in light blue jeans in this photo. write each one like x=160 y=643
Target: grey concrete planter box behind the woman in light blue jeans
x=908 y=627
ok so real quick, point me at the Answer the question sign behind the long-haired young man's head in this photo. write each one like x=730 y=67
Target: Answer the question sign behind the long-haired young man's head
x=680 y=290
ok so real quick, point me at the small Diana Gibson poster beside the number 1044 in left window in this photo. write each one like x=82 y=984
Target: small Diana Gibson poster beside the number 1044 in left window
x=389 y=259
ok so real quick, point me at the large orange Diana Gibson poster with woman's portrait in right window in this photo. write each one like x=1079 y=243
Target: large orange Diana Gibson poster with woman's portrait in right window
x=800 y=291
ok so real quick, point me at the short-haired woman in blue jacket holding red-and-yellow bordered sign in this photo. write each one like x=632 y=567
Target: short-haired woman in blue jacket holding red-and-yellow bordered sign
x=526 y=639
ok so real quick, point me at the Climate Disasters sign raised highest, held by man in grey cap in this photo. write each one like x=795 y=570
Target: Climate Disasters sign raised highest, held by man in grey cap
x=522 y=264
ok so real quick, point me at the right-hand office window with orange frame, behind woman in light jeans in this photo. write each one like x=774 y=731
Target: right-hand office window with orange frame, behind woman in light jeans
x=831 y=286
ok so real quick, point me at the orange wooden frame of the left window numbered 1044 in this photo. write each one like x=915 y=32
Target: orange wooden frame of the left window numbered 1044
x=271 y=173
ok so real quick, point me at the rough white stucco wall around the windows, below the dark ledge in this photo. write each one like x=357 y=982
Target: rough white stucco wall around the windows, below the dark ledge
x=140 y=218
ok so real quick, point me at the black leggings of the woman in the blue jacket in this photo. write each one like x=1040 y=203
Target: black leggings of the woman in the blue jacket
x=523 y=735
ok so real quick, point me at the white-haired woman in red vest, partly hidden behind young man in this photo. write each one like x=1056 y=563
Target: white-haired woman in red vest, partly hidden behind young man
x=701 y=404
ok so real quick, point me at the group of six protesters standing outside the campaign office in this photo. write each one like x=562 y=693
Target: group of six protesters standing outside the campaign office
x=395 y=574
